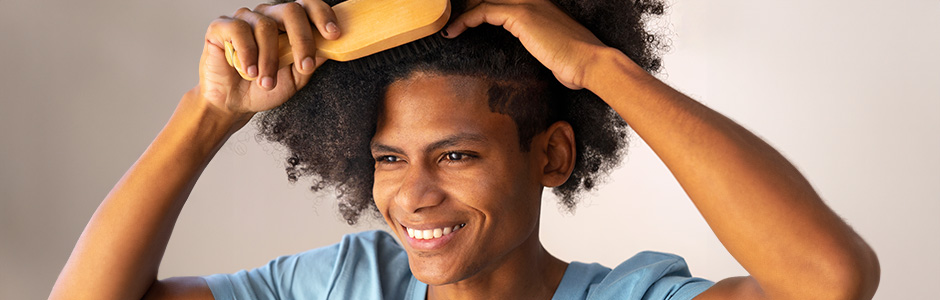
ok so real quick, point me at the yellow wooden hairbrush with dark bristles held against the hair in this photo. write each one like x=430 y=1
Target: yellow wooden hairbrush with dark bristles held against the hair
x=370 y=27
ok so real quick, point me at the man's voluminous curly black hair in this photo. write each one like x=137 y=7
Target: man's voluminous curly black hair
x=328 y=125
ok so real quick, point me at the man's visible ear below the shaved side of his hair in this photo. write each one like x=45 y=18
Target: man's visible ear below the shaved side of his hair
x=559 y=153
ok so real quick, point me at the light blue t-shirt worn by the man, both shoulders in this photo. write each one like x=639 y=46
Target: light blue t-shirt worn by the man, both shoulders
x=372 y=265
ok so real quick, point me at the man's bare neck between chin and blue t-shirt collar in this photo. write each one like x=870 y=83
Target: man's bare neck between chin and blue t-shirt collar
x=528 y=272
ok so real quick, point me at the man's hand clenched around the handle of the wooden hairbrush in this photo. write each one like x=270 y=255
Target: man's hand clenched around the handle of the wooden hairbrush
x=254 y=34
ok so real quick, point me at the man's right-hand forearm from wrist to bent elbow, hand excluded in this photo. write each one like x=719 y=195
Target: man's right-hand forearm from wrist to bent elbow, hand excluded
x=758 y=204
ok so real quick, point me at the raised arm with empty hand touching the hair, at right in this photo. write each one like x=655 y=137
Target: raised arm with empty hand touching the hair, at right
x=761 y=208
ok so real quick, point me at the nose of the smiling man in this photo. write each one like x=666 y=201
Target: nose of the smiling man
x=419 y=189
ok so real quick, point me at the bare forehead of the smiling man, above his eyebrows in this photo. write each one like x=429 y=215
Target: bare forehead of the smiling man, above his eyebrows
x=425 y=107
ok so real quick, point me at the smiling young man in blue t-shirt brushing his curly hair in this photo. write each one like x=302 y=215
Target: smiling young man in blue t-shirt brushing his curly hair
x=458 y=165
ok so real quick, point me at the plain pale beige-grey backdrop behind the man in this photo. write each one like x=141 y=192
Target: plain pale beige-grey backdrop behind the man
x=849 y=91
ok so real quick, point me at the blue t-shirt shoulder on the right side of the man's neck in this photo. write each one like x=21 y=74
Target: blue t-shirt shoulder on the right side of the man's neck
x=646 y=275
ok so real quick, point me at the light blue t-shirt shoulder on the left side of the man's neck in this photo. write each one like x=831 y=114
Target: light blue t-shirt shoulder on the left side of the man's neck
x=369 y=264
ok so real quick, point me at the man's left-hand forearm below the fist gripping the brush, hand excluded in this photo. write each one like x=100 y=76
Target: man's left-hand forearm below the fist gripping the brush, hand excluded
x=119 y=252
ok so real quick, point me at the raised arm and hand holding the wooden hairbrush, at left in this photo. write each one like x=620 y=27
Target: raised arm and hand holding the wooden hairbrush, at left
x=119 y=252
